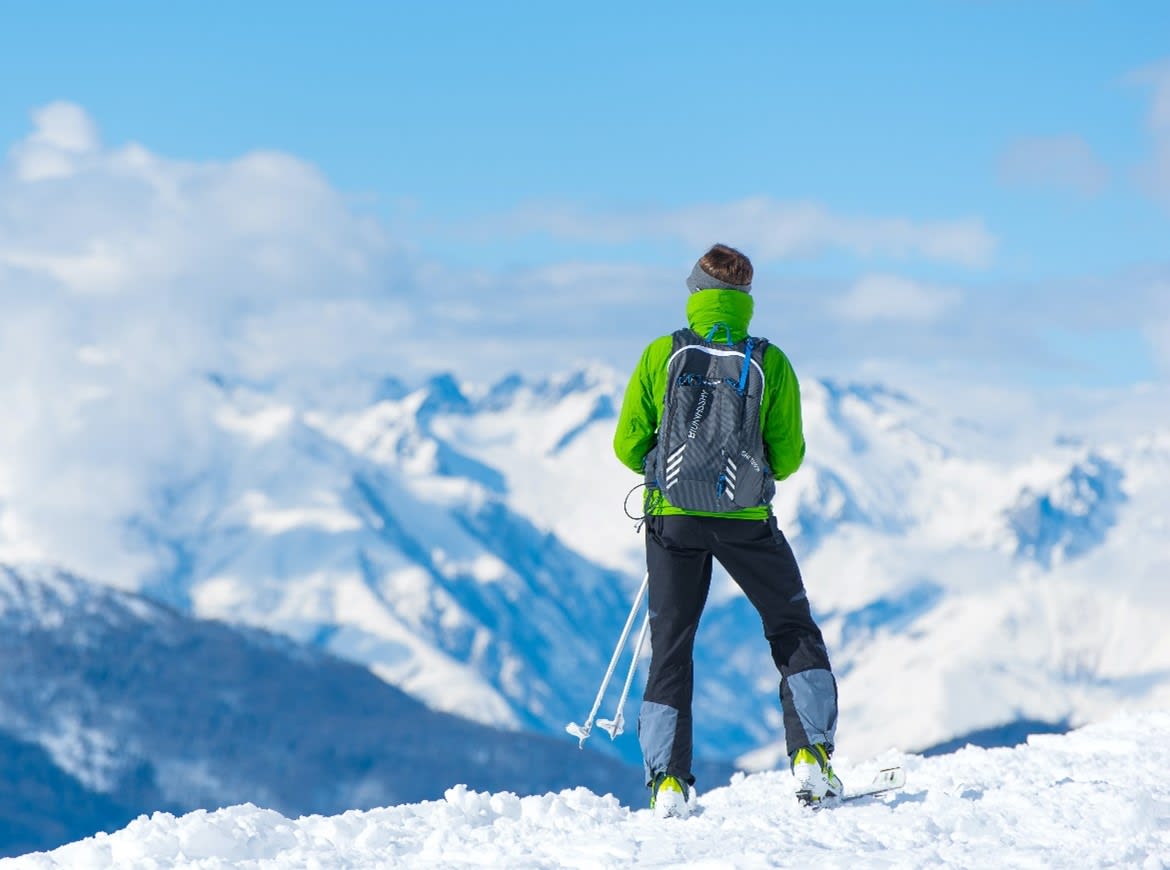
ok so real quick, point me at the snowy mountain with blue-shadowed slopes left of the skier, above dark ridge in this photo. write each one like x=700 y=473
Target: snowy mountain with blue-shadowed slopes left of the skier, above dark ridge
x=367 y=536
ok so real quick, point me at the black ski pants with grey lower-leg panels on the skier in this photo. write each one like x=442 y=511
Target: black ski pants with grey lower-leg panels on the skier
x=679 y=553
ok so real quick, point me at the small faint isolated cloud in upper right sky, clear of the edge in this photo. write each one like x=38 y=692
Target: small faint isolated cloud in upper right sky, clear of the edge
x=1063 y=163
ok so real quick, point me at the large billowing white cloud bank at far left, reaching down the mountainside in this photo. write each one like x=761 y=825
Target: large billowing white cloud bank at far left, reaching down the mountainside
x=126 y=280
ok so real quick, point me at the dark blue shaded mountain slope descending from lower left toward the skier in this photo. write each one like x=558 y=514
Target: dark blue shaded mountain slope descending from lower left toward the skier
x=113 y=706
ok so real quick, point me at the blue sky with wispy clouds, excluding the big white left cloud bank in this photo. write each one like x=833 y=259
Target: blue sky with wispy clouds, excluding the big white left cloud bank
x=976 y=188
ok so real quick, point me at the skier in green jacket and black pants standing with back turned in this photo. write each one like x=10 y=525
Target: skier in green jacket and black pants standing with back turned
x=712 y=418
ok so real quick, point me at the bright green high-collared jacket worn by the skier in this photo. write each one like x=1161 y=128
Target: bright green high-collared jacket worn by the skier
x=780 y=413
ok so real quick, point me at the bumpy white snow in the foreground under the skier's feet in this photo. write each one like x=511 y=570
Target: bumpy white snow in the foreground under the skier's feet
x=1082 y=800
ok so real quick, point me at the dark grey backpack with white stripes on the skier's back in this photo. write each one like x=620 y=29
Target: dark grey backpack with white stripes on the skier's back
x=711 y=453
